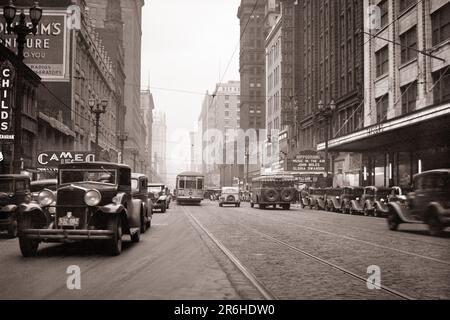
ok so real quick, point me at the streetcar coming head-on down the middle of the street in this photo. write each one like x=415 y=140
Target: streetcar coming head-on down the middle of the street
x=190 y=188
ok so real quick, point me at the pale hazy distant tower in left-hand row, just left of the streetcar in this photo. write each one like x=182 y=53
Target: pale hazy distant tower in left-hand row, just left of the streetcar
x=159 y=143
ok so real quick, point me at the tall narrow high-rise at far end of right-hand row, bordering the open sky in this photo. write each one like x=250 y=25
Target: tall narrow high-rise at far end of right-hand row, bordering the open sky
x=251 y=14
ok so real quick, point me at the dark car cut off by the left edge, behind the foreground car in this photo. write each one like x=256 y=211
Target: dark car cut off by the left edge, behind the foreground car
x=14 y=191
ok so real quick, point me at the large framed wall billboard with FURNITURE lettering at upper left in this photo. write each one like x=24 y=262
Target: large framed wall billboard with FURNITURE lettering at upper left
x=46 y=52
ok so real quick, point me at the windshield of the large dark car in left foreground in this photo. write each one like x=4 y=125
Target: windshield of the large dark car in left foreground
x=107 y=176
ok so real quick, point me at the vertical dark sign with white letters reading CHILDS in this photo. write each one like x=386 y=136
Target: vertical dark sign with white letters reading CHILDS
x=6 y=83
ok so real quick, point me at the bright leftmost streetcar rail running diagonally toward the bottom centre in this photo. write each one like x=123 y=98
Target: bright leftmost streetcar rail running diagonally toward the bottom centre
x=247 y=273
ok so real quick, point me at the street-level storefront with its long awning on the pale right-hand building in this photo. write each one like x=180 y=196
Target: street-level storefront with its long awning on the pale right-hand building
x=394 y=151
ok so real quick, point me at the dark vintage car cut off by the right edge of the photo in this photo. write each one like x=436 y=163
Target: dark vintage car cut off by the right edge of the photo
x=428 y=203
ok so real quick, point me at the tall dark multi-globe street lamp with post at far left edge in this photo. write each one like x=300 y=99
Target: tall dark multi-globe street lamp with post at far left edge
x=22 y=30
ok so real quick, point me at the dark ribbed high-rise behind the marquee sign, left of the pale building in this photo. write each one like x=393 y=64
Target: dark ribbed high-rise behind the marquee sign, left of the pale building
x=328 y=67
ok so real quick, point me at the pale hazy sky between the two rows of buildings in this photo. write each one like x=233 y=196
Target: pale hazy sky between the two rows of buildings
x=186 y=44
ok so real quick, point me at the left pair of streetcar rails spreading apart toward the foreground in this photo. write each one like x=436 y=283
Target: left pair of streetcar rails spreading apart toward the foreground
x=281 y=243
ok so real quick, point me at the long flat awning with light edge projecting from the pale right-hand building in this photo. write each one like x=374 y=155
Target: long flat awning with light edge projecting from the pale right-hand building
x=418 y=129
